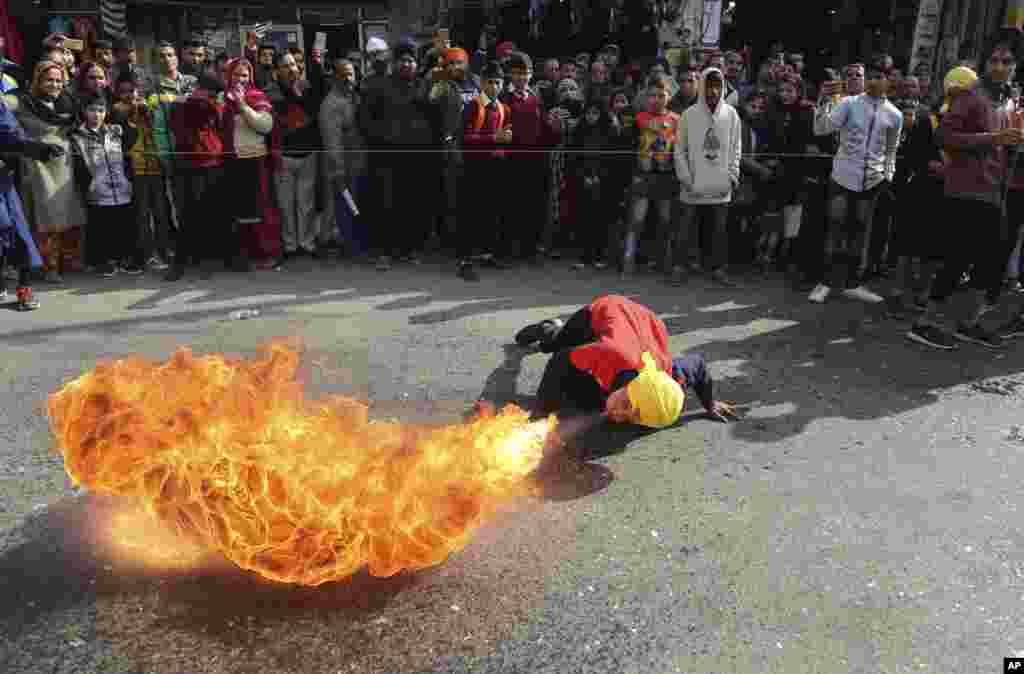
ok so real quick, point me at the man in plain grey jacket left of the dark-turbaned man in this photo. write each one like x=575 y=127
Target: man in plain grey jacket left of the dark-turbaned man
x=346 y=157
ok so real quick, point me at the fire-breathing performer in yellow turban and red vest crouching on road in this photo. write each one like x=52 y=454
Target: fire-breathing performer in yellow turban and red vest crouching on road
x=613 y=356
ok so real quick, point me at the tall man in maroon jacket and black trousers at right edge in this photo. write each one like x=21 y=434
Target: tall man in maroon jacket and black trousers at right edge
x=982 y=141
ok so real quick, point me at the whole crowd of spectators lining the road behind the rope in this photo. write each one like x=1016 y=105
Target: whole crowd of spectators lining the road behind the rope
x=677 y=161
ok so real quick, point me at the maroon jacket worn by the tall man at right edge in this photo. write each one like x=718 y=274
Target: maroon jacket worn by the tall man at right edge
x=976 y=170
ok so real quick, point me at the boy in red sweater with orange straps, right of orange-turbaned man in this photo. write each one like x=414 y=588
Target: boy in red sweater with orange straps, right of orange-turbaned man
x=488 y=127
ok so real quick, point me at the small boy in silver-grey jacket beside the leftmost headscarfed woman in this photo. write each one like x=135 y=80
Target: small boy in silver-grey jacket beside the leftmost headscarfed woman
x=100 y=152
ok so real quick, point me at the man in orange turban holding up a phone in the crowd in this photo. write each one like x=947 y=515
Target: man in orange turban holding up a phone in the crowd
x=452 y=96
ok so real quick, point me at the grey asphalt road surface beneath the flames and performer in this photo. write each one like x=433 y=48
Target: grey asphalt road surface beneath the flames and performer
x=862 y=518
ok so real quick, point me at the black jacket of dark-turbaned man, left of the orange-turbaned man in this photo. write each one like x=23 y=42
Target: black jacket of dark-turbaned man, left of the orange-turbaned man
x=398 y=115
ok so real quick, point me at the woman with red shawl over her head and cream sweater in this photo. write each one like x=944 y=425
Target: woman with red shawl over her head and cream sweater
x=251 y=149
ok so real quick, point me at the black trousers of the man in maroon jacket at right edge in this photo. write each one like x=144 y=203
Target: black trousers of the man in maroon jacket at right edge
x=987 y=246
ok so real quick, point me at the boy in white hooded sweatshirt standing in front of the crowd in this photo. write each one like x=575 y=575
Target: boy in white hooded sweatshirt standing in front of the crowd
x=707 y=154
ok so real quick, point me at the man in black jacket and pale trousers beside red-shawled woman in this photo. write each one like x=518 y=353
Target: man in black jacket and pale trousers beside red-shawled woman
x=295 y=110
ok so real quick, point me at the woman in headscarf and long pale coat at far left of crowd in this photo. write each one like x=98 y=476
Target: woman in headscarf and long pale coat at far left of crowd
x=48 y=113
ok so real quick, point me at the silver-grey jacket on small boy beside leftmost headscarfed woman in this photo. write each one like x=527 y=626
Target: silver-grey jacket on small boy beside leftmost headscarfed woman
x=102 y=164
